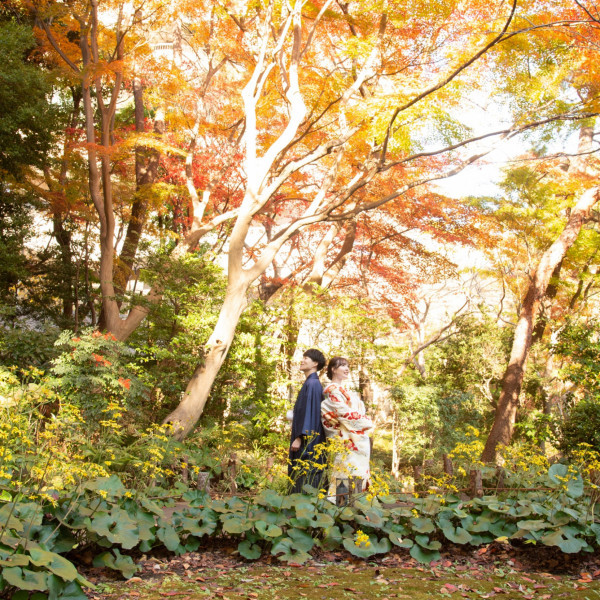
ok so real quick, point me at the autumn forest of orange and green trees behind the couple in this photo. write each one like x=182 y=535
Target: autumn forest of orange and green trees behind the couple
x=193 y=193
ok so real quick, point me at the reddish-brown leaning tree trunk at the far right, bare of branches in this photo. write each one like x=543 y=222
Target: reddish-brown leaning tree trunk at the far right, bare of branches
x=506 y=411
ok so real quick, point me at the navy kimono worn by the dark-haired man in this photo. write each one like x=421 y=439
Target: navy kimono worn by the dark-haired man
x=307 y=424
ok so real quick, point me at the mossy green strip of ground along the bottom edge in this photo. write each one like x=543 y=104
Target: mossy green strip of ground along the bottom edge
x=345 y=580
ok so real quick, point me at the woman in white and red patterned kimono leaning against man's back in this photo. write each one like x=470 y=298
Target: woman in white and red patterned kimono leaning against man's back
x=343 y=415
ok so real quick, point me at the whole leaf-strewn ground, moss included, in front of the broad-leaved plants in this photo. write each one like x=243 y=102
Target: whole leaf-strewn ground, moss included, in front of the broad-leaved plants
x=497 y=571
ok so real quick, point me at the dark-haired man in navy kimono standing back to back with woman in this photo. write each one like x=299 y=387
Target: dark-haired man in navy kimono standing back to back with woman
x=307 y=429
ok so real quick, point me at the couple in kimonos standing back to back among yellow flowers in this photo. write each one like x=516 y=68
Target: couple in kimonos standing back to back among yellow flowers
x=320 y=414
